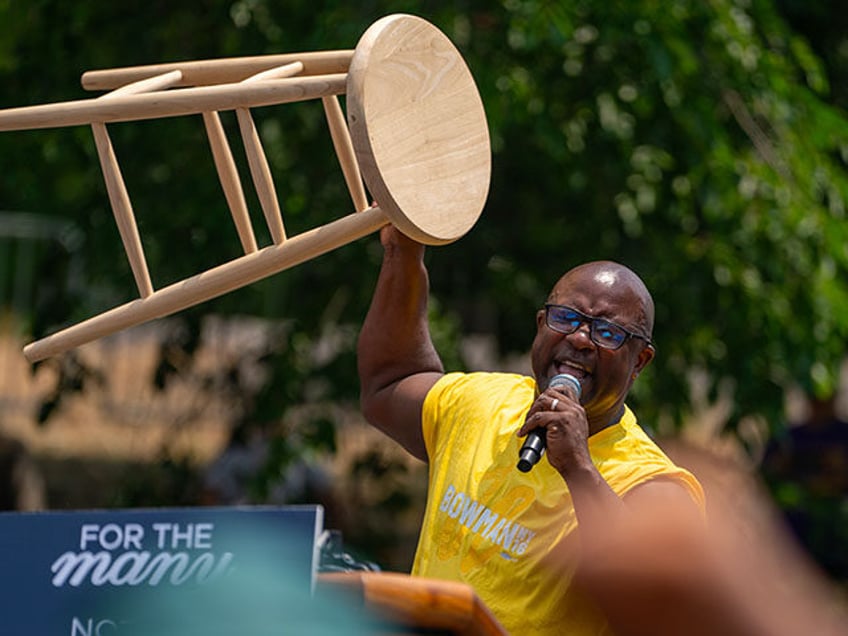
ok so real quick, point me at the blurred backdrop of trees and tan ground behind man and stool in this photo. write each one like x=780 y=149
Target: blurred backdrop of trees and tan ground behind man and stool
x=703 y=144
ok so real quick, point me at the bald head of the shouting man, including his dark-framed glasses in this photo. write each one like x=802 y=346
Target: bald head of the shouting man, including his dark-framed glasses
x=608 y=293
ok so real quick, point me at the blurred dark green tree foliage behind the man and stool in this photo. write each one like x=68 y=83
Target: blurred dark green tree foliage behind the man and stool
x=697 y=142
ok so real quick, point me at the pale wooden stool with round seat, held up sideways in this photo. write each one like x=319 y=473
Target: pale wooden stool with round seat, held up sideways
x=416 y=133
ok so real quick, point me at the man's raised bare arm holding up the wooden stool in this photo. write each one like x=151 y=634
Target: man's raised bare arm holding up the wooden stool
x=397 y=361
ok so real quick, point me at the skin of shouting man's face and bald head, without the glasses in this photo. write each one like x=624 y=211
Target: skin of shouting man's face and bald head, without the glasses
x=605 y=375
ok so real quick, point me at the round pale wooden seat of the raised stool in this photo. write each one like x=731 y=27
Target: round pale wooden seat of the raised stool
x=419 y=129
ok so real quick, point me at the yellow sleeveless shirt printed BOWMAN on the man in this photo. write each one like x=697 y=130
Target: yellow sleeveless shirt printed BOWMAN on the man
x=506 y=533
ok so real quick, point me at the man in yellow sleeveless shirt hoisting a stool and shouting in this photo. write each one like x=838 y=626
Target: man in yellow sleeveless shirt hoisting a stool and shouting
x=512 y=535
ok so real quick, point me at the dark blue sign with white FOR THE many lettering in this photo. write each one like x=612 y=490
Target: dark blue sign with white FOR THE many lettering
x=163 y=571
